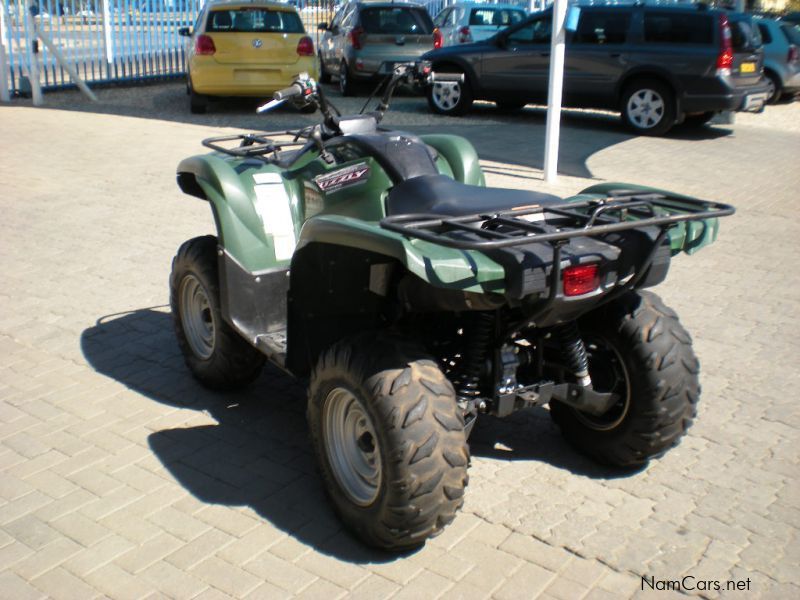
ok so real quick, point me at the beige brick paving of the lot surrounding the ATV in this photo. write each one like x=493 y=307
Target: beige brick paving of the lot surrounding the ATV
x=122 y=478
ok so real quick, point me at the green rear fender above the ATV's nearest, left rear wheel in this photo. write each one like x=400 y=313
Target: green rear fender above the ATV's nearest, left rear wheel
x=441 y=267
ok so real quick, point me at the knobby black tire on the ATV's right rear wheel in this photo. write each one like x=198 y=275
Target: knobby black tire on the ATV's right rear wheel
x=662 y=374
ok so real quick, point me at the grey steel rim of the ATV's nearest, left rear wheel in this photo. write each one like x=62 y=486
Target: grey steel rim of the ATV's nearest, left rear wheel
x=352 y=446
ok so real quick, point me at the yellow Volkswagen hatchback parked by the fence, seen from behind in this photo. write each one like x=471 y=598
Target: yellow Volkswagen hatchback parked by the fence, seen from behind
x=245 y=49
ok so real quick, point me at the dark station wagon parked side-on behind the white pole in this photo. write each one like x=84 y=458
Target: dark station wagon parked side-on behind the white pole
x=657 y=65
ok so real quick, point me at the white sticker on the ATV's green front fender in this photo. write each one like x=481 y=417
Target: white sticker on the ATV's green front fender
x=274 y=208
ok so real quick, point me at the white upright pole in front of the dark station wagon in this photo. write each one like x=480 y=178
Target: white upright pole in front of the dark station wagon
x=555 y=88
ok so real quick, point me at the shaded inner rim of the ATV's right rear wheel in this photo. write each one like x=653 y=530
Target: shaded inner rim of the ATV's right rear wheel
x=609 y=374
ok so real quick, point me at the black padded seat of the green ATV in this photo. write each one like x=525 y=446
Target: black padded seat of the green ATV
x=438 y=194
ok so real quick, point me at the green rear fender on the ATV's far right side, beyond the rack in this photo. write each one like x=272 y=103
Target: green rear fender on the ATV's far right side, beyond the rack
x=686 y=236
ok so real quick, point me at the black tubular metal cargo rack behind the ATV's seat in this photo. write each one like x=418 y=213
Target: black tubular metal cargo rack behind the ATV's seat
x=620 y=210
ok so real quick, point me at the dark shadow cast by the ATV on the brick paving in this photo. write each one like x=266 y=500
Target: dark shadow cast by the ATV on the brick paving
x=257 y=454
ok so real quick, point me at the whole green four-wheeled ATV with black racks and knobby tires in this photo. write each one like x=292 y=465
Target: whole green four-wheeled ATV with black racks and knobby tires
x=376 y=264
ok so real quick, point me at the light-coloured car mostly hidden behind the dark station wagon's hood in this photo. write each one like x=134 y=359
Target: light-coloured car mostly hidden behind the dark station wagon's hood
x=467 y=22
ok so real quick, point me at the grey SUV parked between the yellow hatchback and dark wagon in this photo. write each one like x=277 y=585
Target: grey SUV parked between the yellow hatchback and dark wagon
x=365 y=40
